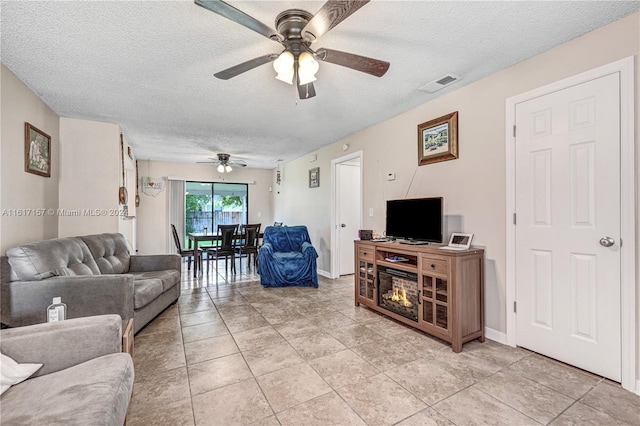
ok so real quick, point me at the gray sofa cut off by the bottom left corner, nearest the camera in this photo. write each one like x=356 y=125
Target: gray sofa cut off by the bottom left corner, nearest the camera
x=85 y=378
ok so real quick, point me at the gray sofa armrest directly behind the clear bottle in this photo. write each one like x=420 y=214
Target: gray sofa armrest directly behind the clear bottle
x=25 y=302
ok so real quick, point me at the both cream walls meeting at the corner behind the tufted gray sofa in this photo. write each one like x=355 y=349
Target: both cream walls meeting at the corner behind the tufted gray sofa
x=85 y=173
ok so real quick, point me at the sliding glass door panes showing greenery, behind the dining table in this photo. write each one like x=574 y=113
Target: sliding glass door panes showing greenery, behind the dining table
x=209 y=204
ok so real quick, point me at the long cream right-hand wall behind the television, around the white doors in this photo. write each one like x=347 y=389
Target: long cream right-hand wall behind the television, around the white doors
x=474 y=185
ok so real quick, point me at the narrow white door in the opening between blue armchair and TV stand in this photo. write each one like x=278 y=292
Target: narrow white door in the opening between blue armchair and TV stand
x=347 y=212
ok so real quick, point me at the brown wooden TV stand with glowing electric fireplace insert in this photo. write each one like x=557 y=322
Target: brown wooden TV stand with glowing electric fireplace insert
x=445 y=289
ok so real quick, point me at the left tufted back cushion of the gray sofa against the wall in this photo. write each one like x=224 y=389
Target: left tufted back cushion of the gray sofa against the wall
x=51 y=258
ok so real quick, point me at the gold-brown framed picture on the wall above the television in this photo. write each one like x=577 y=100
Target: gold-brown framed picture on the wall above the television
x=438 y=139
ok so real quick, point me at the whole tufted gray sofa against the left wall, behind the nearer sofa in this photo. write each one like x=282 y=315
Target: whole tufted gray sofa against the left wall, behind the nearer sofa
x=93 y=274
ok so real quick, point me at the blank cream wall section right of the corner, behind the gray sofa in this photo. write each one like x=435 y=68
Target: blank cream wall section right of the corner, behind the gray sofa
x=90 y=177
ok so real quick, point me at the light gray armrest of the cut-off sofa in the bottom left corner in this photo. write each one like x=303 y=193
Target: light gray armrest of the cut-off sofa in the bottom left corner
x=60 y=345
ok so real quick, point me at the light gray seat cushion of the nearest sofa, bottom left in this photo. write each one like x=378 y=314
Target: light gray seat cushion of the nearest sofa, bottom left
x=94 y=392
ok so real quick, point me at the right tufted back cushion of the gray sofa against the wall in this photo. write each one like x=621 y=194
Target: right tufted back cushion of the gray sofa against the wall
x=110 y=251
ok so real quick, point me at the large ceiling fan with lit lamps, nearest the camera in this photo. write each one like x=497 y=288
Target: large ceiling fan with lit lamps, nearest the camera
x=296 y=31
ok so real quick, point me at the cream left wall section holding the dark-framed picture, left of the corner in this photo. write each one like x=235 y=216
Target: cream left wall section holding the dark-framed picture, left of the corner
x=22 y=190
